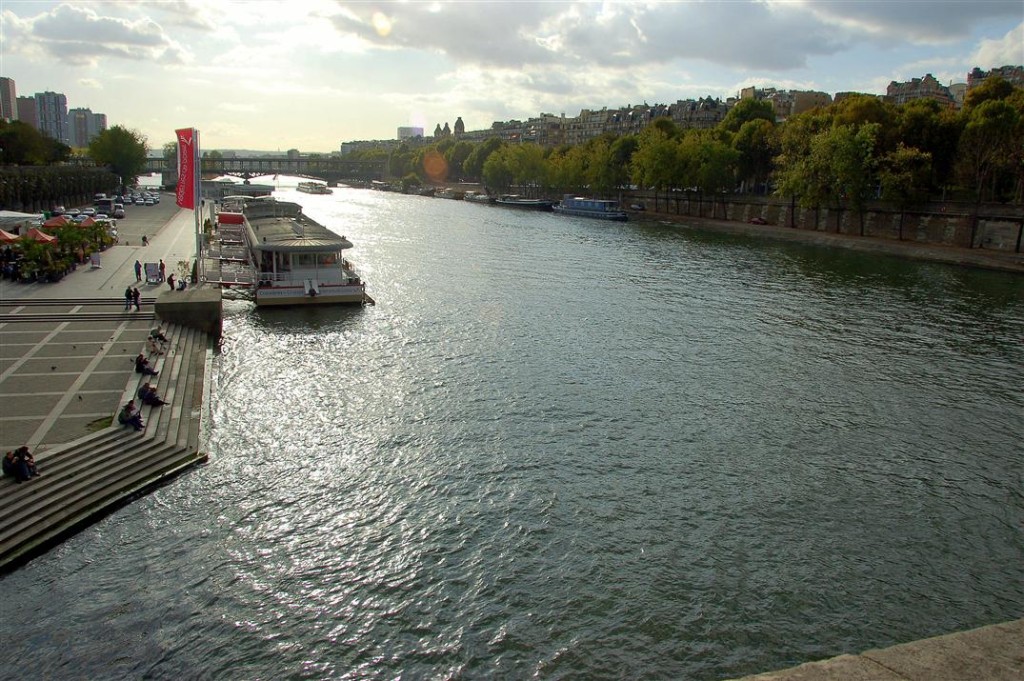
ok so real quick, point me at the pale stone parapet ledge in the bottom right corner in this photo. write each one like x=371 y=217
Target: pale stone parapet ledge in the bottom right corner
x=989 y=654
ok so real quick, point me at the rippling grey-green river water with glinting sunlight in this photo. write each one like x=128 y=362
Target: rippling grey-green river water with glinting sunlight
x=562 y=449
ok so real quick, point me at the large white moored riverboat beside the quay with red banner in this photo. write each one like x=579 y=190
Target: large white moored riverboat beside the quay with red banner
x=298 y=262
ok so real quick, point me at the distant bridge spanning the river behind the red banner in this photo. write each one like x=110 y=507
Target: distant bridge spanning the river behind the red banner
x=330 y=169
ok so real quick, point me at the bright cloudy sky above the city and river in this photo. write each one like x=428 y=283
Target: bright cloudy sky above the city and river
x=312 y=74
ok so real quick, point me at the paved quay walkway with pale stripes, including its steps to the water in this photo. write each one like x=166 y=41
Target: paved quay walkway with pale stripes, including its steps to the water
x=67 y=353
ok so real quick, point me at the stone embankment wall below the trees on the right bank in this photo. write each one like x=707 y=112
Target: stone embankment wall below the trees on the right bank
x=996 y=228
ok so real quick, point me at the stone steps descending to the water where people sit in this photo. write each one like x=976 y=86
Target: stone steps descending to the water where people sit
x=86 y=479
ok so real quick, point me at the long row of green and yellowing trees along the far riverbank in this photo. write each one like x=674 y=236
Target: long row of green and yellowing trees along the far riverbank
x=859 y=149
